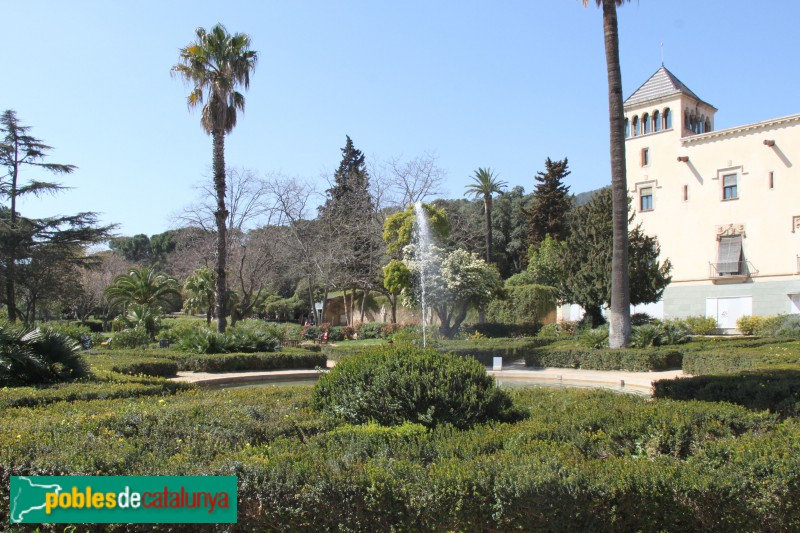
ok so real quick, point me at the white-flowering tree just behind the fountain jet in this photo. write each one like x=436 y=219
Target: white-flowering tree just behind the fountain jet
x=454 y=282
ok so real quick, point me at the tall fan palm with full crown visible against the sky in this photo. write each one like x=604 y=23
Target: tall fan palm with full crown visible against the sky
x=216 y=64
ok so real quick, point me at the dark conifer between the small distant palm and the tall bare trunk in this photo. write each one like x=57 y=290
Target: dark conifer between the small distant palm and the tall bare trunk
x=548 y=216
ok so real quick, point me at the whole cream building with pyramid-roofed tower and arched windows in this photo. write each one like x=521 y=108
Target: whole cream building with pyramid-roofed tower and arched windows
x=724 y=204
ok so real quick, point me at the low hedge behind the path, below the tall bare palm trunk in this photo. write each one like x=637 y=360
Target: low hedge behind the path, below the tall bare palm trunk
x=571 y=355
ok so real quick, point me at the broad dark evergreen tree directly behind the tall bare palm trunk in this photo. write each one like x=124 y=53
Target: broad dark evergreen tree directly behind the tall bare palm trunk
x=586 y=260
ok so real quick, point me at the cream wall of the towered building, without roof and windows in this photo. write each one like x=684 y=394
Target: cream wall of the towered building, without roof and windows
x=687 y=229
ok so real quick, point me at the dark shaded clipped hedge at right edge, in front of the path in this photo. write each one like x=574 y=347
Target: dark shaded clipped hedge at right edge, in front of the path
x=776 y=390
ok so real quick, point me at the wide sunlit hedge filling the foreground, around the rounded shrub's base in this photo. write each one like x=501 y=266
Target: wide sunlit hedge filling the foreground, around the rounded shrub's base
x=582 y=461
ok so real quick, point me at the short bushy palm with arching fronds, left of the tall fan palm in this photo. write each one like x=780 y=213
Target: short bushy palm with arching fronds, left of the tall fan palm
x=144 y=287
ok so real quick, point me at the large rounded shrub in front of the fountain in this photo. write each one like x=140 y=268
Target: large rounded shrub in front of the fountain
x=391 y=385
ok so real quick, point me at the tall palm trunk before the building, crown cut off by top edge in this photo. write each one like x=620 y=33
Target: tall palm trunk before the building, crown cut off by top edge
x=620 y=311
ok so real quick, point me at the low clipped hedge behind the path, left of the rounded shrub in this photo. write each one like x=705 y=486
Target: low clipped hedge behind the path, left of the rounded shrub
x=267 y=361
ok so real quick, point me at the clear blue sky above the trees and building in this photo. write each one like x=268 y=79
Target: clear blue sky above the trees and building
x=501 y=84
